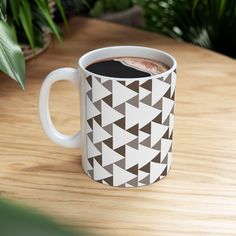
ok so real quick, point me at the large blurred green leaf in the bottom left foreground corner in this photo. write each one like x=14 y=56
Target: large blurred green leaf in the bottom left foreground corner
x=16 y=220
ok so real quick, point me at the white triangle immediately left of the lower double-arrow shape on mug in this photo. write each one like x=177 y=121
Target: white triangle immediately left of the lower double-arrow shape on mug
x=109 y=156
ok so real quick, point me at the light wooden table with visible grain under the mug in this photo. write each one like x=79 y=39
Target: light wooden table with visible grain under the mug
x=199 y=195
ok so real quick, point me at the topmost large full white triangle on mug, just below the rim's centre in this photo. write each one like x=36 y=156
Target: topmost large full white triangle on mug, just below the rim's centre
x=121 y=93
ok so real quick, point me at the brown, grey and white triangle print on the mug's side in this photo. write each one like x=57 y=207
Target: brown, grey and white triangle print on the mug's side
x=129 y=129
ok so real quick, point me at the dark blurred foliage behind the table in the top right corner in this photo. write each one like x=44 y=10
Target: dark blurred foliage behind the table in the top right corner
x=208 y=23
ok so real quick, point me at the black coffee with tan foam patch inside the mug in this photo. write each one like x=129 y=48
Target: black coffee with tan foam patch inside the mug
x=127 y=67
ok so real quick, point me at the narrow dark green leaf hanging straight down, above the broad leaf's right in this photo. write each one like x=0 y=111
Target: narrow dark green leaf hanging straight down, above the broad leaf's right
x=26 y=21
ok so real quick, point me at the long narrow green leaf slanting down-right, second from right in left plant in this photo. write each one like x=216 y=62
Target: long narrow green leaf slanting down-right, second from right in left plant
x=43 y=7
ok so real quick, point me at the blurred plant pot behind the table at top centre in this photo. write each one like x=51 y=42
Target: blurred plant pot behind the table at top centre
x=123 y=11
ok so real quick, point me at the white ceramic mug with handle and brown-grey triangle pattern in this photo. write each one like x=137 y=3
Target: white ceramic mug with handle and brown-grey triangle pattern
x=126 y=125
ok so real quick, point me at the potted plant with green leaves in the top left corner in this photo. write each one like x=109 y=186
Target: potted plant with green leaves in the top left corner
x=25 y=28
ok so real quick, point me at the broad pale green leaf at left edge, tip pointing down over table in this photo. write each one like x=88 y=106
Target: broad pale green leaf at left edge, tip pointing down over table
x=12 y=61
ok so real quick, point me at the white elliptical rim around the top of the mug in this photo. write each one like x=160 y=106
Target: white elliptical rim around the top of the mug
x=166 y=73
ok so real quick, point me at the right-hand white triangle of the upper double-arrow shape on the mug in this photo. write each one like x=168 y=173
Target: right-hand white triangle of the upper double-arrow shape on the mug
x=147 y=114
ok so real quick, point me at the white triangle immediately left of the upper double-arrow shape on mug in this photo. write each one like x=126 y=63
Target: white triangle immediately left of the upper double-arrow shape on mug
x=109 y=114
